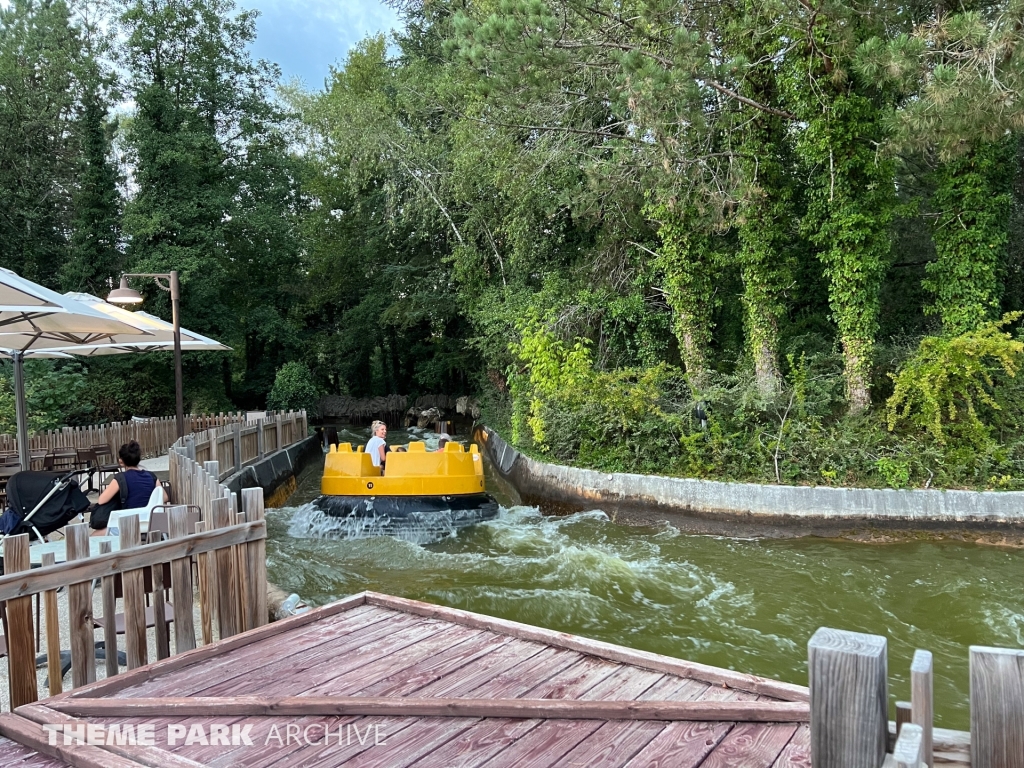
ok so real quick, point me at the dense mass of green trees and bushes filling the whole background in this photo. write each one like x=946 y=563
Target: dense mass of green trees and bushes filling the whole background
x=743 y=240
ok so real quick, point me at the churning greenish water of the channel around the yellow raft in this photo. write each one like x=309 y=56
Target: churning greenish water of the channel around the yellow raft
x=746 y=605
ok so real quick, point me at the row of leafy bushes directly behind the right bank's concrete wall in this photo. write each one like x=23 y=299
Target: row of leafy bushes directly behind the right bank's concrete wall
x=653 y=420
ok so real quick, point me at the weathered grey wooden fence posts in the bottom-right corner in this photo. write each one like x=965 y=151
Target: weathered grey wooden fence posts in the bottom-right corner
x=848 y=673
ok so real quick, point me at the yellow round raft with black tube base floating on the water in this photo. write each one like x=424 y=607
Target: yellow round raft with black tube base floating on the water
x=441 y=491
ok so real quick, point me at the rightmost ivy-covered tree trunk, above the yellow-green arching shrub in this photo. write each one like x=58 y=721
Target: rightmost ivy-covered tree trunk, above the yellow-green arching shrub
x=973 y=203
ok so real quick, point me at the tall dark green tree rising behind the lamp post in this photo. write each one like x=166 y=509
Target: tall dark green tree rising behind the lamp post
x=216 y=196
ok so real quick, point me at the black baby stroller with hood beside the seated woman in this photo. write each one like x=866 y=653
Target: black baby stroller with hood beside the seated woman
x=39 y=503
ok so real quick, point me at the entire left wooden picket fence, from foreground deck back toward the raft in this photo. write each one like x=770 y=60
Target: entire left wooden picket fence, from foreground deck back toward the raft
x=227 y=551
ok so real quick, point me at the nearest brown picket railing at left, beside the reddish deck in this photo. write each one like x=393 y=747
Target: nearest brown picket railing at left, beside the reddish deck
x=230 y=552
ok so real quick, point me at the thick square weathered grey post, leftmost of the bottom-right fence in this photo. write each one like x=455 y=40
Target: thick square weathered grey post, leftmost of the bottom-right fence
x=847 y=672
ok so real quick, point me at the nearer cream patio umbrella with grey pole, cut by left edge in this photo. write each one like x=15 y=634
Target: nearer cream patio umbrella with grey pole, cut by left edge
x=35 y=318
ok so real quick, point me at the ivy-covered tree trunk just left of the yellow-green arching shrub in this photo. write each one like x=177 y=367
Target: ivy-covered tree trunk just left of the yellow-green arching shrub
x=851 y=204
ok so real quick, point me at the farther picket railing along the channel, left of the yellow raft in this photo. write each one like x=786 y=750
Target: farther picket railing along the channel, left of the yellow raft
x=237 y=446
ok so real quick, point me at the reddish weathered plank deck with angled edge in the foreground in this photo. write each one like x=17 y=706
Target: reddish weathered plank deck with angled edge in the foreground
x=405 y=684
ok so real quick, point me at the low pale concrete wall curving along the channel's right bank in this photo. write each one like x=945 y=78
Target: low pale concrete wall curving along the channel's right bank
x=538 y=483
